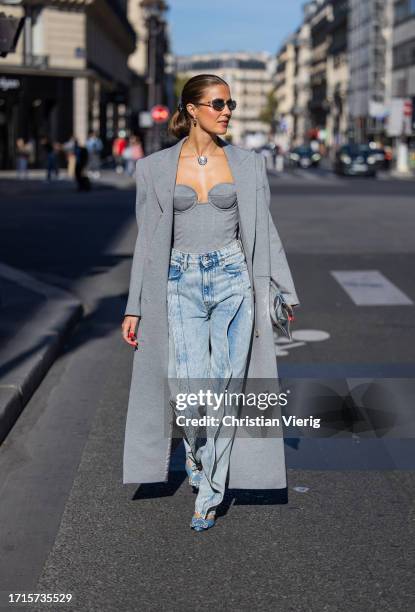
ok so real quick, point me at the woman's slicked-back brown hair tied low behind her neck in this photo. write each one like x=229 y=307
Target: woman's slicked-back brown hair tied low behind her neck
x=193 y=91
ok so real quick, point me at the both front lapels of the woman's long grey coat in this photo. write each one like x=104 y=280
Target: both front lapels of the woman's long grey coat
x=164 y=167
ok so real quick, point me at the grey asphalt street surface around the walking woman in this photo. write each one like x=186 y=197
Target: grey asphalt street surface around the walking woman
x=69 y=525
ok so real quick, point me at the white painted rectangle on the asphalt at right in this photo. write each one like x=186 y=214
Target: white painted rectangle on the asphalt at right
x=370 y=288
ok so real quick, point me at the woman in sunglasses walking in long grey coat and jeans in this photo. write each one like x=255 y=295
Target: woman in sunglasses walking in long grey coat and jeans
x=205 y=254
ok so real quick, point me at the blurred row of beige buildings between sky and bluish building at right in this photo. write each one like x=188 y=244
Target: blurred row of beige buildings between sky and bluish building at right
x=312 y=77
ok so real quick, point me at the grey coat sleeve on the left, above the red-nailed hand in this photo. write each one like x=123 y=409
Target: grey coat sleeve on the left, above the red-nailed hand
x=136 y=277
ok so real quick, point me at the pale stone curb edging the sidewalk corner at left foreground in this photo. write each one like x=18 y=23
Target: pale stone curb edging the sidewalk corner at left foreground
x=25 y=361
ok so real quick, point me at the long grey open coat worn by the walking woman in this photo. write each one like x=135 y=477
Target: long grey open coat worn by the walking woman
x=256 y=463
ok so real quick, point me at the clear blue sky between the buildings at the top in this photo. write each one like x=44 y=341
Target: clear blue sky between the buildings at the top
x=203 y=26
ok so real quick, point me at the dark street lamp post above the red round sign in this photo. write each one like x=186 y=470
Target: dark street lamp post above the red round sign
x=153 y=12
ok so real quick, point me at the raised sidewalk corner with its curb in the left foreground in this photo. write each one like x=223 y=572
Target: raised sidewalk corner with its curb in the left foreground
x=34 y=321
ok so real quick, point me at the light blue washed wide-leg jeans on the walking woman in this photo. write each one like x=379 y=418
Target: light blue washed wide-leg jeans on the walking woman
x=210 y=323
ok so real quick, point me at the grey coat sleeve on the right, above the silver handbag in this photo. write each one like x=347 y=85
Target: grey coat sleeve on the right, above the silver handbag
x=280 y=270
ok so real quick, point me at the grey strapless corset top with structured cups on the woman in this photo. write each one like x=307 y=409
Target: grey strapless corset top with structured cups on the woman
x=200 y=227
